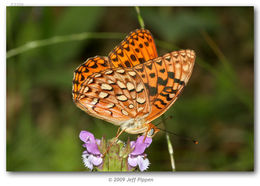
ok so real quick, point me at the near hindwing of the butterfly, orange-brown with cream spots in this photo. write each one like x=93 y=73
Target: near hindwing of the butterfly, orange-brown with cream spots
x=116 y=95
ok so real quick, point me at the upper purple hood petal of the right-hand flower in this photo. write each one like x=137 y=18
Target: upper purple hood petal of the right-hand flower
x=141 y=145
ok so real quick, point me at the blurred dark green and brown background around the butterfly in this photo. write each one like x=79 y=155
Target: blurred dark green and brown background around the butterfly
x=217 y=106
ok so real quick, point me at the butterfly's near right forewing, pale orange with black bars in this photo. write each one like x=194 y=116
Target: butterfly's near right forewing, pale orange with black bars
x=172 y=73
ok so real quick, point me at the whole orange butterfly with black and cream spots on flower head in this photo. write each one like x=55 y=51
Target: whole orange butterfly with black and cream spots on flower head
x=132 y=86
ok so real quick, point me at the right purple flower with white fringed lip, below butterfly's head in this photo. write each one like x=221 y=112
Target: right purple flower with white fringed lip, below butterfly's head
x=137 y=156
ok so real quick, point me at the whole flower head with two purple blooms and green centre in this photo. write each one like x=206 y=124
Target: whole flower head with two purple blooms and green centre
x=131 y=155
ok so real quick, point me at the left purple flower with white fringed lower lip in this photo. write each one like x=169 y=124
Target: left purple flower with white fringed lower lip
x=92 y=156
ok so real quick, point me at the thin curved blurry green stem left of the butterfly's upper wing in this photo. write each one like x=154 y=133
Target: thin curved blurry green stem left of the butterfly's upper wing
x=60 y=39
